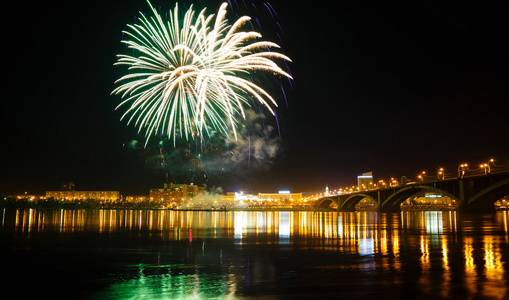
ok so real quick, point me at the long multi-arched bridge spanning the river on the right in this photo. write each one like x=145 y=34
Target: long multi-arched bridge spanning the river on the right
x=477 y=193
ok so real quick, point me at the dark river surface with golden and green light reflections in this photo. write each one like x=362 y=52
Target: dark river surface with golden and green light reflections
x=127 y=254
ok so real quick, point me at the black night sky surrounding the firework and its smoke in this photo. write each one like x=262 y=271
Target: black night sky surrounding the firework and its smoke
x=390 y=88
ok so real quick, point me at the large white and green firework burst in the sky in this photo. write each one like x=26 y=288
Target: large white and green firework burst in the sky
x=189 y=77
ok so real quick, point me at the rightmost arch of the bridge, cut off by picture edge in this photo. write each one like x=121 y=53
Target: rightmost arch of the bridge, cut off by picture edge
x=487 y=196
